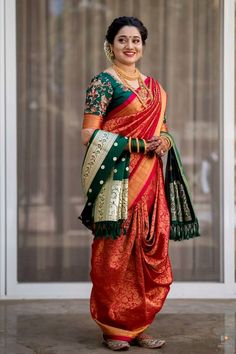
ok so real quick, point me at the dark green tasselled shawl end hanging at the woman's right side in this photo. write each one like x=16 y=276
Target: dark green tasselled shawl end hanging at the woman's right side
x=184 y=223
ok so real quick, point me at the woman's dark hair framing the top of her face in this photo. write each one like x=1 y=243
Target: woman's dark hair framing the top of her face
x=120 y=22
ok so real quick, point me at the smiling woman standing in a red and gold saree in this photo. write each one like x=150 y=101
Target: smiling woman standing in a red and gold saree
x=125 y=129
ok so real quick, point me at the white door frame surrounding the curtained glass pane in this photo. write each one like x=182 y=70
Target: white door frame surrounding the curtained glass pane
x=9 y=288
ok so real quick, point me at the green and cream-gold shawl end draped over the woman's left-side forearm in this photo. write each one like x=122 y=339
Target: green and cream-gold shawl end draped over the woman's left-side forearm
x=105 y=172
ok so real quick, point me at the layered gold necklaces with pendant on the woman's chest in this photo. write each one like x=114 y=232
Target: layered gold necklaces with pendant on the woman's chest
x=144 y=93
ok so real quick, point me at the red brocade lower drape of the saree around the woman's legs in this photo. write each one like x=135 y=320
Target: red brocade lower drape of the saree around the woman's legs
x=131 y=275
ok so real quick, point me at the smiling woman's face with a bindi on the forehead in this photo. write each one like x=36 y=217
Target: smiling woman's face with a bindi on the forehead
x=127 y=46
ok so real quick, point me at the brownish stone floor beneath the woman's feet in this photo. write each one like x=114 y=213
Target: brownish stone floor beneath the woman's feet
x=65 y=326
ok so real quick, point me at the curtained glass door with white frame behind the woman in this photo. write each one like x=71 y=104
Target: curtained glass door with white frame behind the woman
x=54 y=48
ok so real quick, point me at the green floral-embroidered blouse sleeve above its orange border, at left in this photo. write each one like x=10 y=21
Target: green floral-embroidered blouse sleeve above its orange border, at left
x=98 y=96
